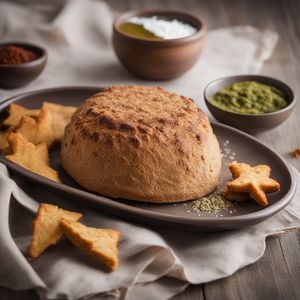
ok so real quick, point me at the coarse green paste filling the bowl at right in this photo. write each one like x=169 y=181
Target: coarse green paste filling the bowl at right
x=250 y=97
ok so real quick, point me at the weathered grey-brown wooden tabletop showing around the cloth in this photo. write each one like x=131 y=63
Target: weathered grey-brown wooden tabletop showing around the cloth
x=277 y=274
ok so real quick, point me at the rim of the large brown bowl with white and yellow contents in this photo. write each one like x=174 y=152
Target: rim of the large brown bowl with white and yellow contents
x=139 y=12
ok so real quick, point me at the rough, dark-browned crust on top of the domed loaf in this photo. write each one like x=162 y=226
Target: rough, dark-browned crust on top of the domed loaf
x=137 y=114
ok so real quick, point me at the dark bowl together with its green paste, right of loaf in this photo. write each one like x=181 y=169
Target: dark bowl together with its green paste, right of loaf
x=252 y=103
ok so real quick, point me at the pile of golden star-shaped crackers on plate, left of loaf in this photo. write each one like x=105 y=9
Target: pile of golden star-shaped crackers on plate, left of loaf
x=29 y=133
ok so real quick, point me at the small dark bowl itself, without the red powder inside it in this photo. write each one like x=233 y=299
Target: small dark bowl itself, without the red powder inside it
x=17 y=75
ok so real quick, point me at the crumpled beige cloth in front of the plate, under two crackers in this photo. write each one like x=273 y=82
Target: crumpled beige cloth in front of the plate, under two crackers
x=154 y=263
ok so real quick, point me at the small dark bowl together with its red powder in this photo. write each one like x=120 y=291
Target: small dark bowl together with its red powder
x=20 y=63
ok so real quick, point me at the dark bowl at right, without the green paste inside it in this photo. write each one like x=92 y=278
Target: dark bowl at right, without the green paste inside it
x=247 y=122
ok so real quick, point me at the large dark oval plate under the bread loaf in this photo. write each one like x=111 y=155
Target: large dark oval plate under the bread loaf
x=235 y=145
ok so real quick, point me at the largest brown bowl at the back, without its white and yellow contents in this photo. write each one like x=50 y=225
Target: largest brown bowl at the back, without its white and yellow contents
x=158 y=59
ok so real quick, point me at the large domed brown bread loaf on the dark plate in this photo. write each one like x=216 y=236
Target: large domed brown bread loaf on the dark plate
x=142 y=143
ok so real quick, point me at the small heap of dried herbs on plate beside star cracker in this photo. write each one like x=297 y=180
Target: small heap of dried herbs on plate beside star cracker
x=213 y=203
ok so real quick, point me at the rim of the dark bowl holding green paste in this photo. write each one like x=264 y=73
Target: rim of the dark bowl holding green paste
x=257 y=78
